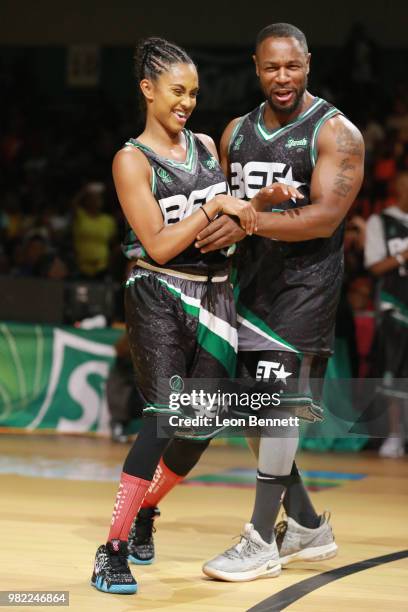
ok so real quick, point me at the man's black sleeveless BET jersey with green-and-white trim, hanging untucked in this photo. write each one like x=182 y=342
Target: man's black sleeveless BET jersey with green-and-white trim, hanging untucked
x=288 y=291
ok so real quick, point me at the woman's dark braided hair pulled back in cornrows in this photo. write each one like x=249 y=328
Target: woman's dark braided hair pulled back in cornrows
x=154 y=56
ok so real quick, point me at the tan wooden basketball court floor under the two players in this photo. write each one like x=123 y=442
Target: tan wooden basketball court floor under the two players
x=52 y=523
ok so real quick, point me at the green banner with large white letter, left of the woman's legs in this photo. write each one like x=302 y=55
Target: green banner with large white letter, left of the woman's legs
x=54 y=378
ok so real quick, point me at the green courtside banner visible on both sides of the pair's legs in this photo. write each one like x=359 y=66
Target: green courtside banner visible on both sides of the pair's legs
x=54 y=378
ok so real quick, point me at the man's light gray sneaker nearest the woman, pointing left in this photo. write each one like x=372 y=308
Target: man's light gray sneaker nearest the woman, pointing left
x=249 y=559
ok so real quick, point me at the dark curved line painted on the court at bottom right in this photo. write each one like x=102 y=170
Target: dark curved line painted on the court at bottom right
x=286 y=597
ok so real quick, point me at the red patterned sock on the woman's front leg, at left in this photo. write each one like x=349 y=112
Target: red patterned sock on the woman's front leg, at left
x=129 y=498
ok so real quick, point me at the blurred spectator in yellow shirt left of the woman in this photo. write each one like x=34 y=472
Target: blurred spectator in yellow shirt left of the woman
x=93 y=232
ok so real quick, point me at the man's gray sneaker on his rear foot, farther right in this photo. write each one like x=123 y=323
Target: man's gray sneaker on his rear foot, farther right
x=297 y=543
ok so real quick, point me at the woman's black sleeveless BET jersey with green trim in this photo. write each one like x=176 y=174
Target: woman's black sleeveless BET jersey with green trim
x=180 y=188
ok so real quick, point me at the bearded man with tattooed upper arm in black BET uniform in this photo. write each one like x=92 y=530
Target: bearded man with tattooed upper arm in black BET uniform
x=289 y=278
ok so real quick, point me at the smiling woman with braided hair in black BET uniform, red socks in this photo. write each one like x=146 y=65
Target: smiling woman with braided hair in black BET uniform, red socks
x=179 y=306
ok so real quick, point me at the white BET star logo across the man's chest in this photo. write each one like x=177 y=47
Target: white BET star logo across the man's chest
x=247 y=180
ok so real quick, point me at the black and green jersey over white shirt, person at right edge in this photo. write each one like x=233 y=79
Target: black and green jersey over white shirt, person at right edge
x=394 y=285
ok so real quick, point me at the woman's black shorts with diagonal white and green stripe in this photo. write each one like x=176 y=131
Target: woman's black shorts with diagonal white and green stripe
x=178 y=328
